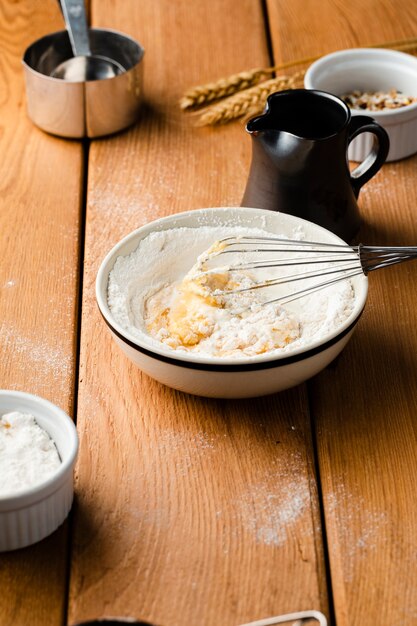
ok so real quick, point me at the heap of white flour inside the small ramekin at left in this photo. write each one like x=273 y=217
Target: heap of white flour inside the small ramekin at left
x=28 y=456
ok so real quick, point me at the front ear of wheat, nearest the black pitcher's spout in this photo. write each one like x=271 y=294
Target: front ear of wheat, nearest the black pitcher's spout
x=249 y=101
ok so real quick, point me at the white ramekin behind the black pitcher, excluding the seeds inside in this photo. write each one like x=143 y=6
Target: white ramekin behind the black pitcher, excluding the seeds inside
x=372 y=69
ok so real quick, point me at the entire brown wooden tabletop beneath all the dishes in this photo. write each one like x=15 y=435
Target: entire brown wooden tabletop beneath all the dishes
x=188 y=510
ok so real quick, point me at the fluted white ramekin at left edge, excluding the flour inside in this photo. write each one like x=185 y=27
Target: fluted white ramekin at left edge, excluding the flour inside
x=34 y=513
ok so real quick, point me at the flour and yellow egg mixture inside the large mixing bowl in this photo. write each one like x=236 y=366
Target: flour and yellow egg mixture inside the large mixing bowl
x=156 y=294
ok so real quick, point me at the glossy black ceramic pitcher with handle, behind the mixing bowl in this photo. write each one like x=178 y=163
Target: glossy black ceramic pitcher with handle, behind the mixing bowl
x=299 y=159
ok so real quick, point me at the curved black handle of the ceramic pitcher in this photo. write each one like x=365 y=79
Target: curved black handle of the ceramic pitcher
x=379 y=151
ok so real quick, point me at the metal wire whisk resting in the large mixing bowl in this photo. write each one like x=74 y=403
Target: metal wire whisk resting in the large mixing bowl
x=336 y=262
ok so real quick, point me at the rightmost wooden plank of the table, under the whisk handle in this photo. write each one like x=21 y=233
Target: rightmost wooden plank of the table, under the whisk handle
x=364 y=406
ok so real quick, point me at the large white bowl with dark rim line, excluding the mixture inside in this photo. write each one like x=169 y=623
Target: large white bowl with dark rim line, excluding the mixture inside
x=218 y=376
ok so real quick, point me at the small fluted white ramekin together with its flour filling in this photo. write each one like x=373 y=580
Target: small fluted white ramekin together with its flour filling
x=34 y=506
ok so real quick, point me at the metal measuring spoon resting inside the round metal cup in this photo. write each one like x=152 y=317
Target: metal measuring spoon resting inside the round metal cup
x=83 y=66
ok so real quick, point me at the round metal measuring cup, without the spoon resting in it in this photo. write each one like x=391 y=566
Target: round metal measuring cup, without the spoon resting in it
x=83 y=108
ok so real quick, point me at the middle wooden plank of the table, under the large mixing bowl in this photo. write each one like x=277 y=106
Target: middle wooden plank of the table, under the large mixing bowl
x=189 y=510
